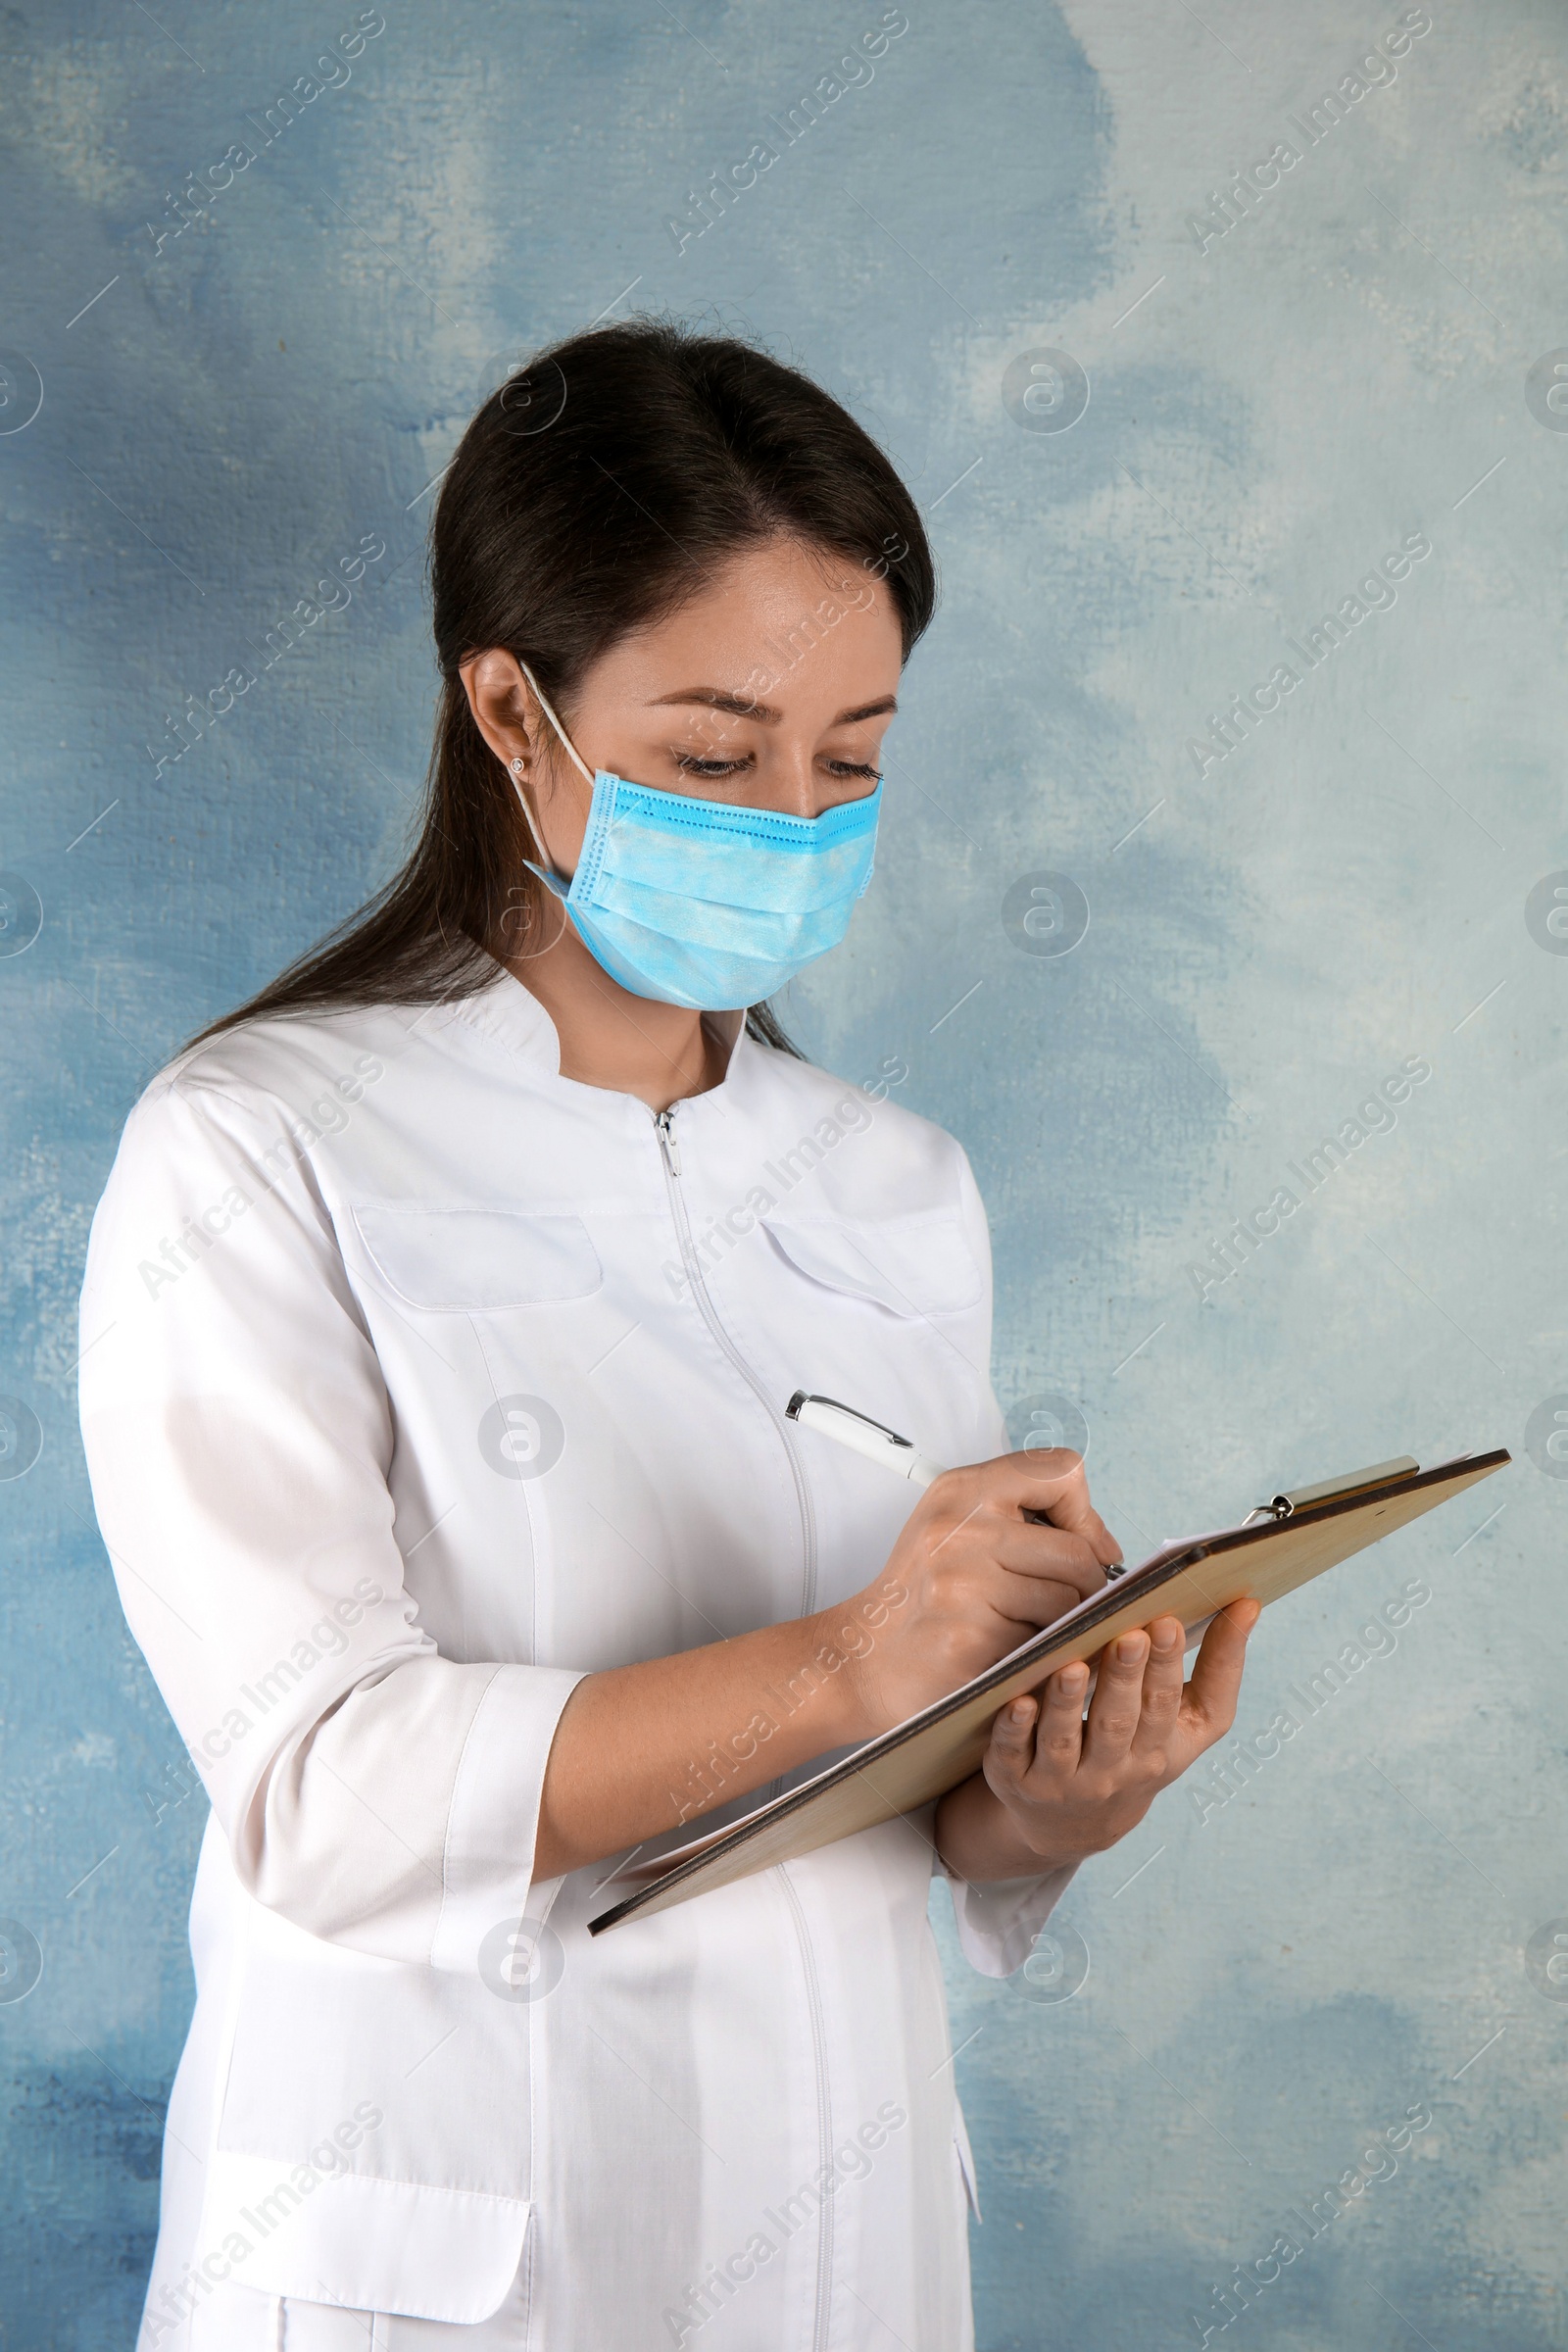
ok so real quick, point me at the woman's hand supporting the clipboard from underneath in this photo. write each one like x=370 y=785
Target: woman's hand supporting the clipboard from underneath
x=1059 y=1784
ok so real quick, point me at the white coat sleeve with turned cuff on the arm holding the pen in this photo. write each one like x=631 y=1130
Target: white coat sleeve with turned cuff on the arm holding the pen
x=239 y=1443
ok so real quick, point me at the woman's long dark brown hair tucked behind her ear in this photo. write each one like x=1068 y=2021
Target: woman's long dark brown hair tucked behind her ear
x=594 y=495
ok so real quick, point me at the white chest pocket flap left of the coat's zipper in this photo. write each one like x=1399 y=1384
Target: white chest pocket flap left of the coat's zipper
x=478 y=1262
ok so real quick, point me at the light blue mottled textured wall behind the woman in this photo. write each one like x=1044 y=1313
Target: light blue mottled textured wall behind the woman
x=232 y=410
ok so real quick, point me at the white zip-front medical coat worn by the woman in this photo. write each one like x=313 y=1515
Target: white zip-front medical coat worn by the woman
x=417 y=1384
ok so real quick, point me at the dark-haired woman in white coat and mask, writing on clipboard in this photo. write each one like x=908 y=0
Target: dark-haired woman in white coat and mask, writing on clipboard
x=438 y=1325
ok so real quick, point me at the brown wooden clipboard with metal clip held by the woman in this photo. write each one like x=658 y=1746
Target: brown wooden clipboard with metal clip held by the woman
x=1280 y=1546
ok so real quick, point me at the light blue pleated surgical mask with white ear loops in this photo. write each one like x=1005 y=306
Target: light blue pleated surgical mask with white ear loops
x=702 y=904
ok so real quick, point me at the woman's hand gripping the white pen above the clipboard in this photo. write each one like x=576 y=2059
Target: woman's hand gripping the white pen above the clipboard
x=970 y=1579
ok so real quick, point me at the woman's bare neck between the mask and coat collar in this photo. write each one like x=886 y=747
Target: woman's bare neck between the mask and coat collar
x=617 y=1041
